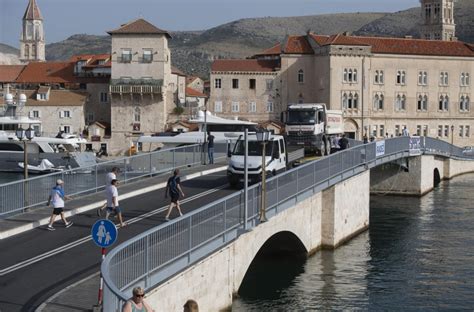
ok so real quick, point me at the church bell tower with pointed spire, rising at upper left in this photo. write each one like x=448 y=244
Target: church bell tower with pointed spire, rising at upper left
x=32 y=45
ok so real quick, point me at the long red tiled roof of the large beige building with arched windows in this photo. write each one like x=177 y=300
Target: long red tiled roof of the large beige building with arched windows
x=404 y=46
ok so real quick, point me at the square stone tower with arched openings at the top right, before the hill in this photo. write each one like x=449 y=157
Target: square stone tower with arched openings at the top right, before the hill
x=437 y=20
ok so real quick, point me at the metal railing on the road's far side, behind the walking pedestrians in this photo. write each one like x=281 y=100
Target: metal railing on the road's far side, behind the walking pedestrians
x=32 y=193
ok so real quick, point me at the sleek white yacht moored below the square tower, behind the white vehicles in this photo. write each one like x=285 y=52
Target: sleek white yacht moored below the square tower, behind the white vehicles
x=223 y=130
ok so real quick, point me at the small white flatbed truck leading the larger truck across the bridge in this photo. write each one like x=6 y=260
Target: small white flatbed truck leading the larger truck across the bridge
x=278 y=158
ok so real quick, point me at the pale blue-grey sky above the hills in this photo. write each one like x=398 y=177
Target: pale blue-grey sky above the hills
x=63 y=18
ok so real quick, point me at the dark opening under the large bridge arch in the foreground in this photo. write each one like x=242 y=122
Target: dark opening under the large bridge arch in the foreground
x=281 y=249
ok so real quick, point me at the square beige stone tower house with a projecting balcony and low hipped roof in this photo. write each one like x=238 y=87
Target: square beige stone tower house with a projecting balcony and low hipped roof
x=141 y=72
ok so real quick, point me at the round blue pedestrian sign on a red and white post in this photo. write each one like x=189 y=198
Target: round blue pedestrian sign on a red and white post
x=104 y=234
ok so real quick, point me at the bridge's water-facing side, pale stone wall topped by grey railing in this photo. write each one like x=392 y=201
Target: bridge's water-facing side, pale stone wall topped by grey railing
x=320 y=204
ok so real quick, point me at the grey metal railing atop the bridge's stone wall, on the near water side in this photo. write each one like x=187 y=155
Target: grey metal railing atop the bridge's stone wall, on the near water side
x=156 y=255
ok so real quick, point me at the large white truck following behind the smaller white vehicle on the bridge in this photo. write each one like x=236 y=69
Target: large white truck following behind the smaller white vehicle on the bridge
x=313 y=127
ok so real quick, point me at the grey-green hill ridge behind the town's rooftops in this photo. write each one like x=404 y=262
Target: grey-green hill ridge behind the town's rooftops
x=193 y=51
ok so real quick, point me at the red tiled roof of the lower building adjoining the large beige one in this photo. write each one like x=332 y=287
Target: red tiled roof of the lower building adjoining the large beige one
x=248 y=65
